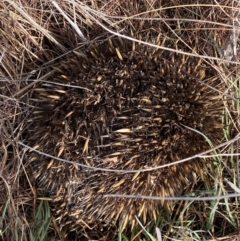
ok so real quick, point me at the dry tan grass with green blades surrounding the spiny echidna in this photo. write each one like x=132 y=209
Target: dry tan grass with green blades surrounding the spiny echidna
x=34 y=33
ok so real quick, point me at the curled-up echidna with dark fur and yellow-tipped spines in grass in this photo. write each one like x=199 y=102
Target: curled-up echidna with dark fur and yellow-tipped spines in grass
x=121 y=105
